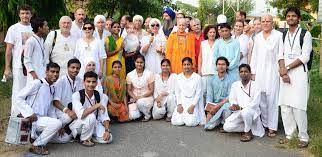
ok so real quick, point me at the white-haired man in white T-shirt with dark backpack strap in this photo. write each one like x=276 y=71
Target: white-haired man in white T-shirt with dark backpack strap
x=60 y=44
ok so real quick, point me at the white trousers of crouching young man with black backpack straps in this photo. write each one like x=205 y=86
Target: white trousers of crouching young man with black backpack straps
x=85 y=127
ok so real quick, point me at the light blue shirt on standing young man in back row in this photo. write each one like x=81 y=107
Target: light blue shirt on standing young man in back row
x=231 y=50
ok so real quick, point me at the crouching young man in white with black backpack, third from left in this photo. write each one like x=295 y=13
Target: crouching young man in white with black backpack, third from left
x=92 y=117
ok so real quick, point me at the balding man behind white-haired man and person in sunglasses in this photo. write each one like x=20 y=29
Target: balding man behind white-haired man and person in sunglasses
x=77 y=24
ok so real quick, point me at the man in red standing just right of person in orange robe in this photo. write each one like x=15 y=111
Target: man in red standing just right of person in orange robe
x=195 y=26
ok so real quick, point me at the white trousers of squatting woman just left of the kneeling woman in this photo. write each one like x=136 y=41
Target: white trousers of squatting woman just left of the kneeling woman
x=168 y=105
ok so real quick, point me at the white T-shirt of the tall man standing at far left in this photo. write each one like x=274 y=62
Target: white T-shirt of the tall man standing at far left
x=17 y=35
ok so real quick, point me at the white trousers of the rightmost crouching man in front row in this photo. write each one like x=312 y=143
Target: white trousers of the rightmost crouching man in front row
x=244 y=121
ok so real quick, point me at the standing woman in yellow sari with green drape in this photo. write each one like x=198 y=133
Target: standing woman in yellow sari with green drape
x=114 y=49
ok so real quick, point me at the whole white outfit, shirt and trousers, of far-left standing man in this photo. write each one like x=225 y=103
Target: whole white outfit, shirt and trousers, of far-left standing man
x=17 y=35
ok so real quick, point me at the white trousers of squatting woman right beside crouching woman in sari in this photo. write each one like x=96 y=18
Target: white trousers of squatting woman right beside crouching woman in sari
x=143 y=105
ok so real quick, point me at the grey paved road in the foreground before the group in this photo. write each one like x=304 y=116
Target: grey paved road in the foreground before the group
x=160 y=139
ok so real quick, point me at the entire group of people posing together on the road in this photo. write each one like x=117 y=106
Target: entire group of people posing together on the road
x=72 y=82
